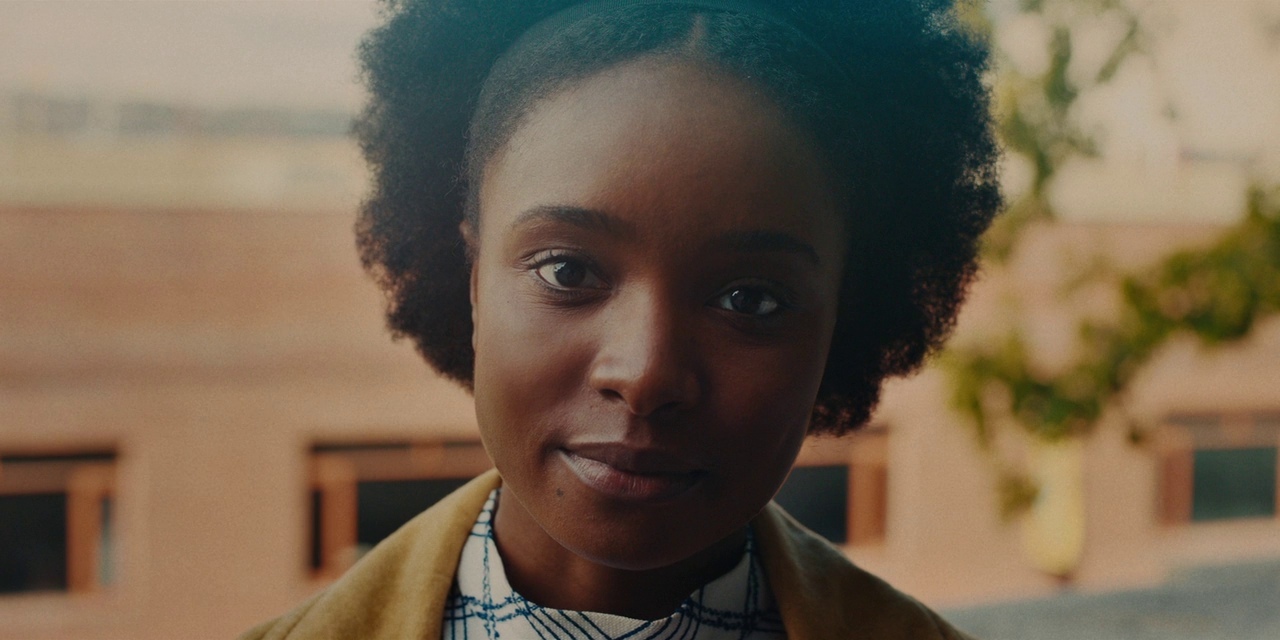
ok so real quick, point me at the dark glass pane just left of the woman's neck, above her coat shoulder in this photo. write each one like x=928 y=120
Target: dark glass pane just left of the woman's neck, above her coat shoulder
x=385 y=506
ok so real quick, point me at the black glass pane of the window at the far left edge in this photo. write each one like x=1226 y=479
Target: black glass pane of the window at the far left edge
x=34 y=542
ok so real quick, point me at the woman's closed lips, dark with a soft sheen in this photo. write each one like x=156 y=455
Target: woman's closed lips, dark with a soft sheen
x=632 y=474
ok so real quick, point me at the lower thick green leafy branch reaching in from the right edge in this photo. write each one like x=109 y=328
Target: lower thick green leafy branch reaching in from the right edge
x=1217 y=295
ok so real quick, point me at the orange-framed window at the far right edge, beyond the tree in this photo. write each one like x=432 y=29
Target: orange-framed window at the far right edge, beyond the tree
x=1219 y=468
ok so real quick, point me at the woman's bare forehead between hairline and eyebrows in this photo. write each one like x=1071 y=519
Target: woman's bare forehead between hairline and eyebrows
x=675 y=144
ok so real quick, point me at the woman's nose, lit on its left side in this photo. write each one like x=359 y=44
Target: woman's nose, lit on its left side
x=646 y=356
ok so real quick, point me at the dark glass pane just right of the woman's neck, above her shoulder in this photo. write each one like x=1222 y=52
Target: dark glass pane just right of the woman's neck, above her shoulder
x=819 y=497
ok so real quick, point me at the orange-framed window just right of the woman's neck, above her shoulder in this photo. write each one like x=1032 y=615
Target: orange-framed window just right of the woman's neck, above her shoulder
x=839 y=488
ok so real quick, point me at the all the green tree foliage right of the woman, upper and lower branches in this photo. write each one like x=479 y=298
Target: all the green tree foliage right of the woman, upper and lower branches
x=1217 y=295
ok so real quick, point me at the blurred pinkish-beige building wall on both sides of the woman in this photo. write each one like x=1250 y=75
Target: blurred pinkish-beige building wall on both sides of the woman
x=212 y=349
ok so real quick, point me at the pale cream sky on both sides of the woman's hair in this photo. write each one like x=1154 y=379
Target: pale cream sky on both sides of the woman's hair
x=1215 y=62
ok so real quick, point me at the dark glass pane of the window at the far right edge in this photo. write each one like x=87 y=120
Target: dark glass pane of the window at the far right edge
x=1235 y=483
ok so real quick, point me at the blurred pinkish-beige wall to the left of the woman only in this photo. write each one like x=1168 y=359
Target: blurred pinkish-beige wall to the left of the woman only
x=211 y=349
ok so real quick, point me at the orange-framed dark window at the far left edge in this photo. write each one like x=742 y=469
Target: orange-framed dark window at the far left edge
x=57 y=522
